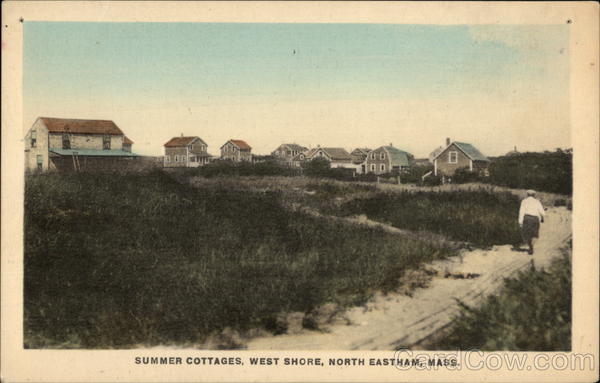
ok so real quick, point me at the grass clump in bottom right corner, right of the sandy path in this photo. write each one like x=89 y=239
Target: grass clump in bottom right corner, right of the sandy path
x=533 y=313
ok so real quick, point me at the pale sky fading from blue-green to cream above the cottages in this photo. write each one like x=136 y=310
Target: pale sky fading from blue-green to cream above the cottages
x=343 y=85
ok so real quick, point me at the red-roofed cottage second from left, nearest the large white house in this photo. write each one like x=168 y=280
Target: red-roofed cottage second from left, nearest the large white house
x=185 y=152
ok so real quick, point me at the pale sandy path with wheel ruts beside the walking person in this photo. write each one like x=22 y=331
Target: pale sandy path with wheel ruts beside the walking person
x=394 y=321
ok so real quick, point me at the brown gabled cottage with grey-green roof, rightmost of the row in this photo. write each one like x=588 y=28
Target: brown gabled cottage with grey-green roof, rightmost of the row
x=457 y=155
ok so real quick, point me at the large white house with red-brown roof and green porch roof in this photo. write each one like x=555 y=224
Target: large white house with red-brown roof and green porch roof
x=74 y=144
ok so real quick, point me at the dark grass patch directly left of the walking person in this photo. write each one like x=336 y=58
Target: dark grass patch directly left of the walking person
x=482 y=218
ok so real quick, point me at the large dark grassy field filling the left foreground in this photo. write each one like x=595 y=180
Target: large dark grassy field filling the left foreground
x=115 y=261
